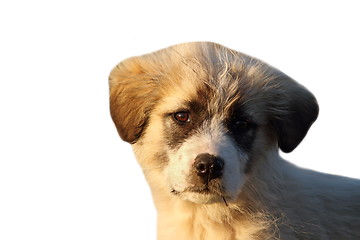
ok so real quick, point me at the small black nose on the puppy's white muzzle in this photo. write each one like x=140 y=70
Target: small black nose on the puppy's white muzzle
x=208 y=166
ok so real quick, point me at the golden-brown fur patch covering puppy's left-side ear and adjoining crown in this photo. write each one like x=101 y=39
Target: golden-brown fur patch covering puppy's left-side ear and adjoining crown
x=137 y=84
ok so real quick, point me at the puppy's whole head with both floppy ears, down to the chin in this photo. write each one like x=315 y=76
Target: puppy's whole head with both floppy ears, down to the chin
x=200 y=117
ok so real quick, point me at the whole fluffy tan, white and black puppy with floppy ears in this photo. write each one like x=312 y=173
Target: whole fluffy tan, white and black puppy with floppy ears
x=206 y=124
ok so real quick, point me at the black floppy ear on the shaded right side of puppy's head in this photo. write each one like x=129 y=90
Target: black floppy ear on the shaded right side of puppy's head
x=296 y=110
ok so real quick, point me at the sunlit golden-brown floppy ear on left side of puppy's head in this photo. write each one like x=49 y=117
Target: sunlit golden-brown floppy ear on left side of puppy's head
x=132 y=97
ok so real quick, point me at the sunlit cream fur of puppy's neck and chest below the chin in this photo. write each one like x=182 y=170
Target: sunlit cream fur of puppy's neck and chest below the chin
x=179 y=219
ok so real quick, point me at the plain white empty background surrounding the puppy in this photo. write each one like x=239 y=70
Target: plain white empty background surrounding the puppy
x=65 y=173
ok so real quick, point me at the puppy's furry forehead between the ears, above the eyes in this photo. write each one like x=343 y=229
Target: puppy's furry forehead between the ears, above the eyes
x=212 y=78
